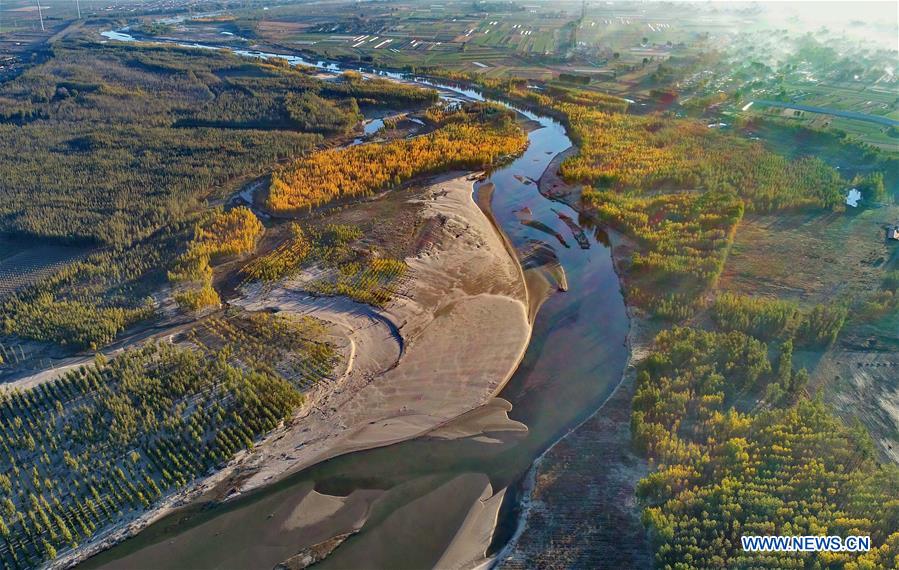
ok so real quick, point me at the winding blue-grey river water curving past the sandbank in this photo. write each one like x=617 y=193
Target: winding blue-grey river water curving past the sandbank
x=417 y=490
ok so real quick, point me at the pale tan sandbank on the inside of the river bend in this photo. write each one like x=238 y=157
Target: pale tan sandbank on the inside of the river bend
x=408 y=370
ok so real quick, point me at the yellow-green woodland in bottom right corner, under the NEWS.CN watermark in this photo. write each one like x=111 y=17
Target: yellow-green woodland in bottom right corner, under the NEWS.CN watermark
x=790 y=468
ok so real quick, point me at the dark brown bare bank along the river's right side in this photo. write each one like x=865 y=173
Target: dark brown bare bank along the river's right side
x=571 y=510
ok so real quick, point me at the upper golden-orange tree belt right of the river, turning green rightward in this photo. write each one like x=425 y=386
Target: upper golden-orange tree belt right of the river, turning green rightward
x=644 y=153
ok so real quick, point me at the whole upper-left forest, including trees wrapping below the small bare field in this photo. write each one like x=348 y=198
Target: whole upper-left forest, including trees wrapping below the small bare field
x=122 y=145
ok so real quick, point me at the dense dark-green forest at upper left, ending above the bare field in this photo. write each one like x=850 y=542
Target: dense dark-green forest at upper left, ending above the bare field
x=110 y=143
